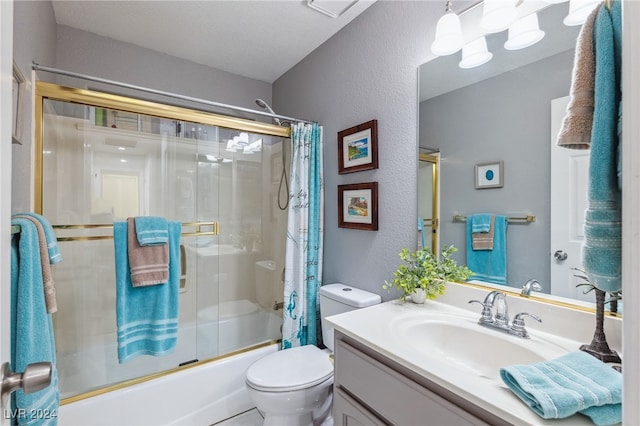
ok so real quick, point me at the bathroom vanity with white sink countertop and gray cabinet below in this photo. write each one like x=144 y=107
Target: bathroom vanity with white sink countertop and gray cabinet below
x=432 y=364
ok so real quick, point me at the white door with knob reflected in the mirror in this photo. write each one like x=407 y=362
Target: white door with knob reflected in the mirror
x=569 y=178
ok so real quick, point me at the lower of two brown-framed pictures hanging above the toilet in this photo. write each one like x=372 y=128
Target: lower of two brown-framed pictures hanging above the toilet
x=358 y=206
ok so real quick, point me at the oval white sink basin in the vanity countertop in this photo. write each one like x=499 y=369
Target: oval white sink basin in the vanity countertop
x=468 y=346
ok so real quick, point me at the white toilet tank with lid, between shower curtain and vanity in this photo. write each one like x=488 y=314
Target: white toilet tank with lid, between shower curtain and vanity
x=338 y=298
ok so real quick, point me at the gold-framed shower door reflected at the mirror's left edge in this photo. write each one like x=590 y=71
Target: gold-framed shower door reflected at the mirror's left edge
x=428 y=182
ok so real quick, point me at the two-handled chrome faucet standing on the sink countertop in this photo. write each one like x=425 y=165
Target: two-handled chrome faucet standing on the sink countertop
x=500 y=321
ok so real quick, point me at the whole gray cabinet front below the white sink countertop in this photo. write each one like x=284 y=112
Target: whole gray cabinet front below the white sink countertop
x=370 y=388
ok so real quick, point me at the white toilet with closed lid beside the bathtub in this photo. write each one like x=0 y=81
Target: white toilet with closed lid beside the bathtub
x=294 y=386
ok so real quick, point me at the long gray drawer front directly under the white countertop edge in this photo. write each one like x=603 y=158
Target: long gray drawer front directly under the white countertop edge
x=392 y=396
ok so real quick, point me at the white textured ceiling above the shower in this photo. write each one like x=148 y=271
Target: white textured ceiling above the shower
x=259 y=39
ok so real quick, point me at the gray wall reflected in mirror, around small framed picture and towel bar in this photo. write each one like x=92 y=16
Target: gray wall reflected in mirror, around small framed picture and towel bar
x=483 y=123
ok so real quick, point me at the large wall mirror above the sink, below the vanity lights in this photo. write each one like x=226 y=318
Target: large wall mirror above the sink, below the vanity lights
x=504 y=111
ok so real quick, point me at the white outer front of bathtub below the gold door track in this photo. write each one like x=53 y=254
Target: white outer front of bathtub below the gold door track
x=200 y=395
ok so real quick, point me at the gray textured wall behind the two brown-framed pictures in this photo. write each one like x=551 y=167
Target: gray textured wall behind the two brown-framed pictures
x=368 y=71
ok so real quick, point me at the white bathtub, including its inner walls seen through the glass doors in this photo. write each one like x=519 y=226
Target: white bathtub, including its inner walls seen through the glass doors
x=200 y=395
